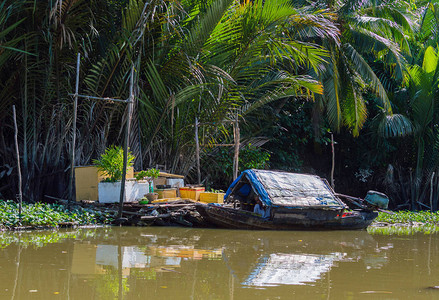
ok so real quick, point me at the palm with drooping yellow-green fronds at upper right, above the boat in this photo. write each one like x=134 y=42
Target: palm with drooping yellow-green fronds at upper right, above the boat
x=370 y=31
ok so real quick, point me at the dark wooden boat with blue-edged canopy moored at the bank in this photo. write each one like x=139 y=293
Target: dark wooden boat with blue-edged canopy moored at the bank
x=293 y=202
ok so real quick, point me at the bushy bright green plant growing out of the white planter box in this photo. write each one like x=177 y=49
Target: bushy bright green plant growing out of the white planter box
x=111 y=163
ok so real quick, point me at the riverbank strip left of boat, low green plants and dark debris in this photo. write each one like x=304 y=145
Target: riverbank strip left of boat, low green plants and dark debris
x=90 y=213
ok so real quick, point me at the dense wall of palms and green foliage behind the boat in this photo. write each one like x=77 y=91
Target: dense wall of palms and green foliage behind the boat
x=290 y=72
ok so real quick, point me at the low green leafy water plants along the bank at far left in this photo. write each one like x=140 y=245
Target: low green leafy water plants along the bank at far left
x=47 y=215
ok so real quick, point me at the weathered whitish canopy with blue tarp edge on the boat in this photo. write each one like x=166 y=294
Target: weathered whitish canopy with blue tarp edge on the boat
x=277 y=188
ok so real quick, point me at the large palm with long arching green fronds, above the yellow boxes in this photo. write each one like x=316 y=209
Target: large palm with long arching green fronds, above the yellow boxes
x=231 y=61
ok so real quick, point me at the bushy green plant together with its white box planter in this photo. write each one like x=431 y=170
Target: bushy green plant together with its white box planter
x=111 y=165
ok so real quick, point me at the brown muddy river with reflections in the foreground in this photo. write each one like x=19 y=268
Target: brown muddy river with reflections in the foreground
x=178 y=263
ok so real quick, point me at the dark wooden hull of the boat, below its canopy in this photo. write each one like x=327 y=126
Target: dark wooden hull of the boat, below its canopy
x=287 y=219
